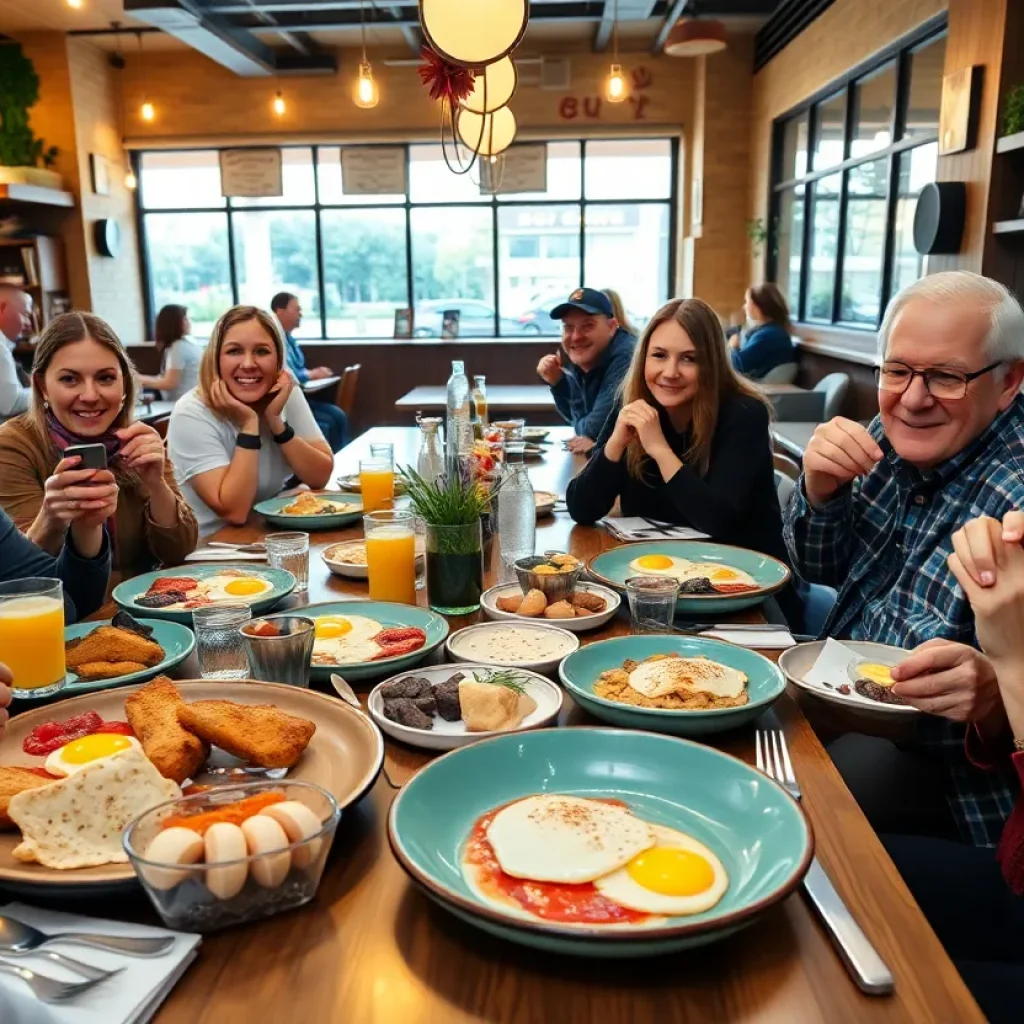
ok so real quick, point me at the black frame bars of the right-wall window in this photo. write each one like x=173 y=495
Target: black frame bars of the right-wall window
x=900 y=55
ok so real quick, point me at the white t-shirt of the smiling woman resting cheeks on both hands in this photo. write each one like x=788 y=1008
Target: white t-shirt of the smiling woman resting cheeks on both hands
x=199 y=442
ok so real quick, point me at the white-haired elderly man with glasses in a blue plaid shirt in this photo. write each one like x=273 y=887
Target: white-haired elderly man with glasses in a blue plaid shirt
x=875 y=517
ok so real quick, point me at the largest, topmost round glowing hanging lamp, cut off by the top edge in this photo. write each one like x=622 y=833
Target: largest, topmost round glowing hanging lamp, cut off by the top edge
x=474 y=33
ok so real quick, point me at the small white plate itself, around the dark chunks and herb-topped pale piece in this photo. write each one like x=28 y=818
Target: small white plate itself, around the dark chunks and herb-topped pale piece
x=449 y=736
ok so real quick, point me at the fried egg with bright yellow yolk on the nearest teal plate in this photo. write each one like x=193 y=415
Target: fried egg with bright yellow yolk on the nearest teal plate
x=676 y=876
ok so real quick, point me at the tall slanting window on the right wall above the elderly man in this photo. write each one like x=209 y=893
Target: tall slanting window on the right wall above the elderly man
x=849 y=168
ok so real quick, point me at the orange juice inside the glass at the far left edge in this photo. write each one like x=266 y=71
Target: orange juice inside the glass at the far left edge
x=32 y=641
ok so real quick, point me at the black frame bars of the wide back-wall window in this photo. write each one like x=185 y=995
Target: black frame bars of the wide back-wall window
x=408 y=205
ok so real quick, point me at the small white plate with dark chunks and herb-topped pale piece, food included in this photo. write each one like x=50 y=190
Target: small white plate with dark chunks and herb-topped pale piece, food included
x=443 y=707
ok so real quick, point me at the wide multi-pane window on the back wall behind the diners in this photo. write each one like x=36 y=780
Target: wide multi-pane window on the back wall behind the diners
x=606 y=221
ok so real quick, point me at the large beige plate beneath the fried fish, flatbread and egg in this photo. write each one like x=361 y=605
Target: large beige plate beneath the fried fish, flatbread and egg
x=345 y=757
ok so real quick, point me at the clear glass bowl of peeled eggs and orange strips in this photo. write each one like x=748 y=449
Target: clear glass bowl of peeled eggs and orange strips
x=233 y=854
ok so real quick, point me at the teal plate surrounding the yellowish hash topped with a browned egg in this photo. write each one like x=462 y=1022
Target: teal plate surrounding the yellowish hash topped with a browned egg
x=581 y=670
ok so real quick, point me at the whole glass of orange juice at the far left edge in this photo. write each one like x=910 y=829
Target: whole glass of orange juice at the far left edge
x=32 y=635
